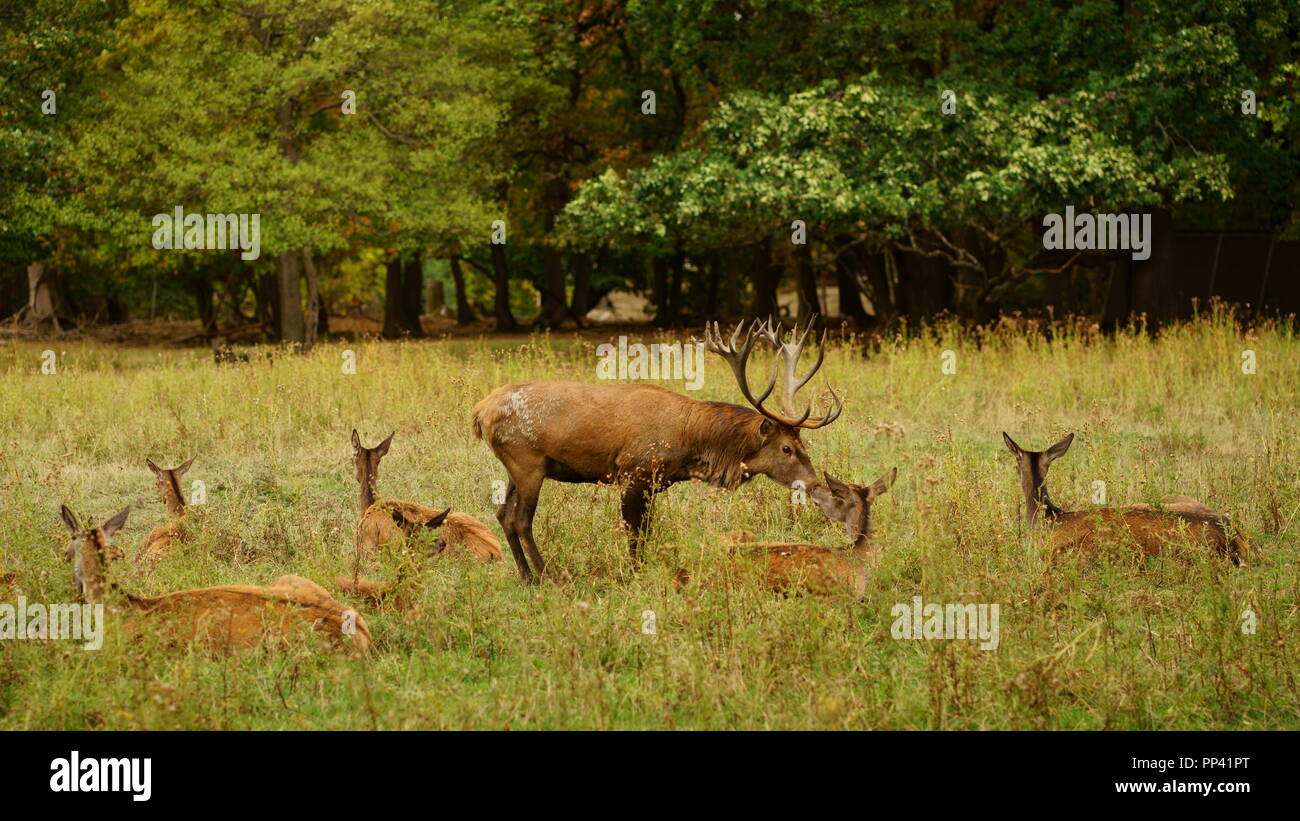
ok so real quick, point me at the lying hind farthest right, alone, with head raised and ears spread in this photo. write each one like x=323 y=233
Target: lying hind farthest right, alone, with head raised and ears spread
x=1152 y=531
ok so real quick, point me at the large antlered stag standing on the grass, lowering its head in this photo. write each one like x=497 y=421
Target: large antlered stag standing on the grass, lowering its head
x=645 y=438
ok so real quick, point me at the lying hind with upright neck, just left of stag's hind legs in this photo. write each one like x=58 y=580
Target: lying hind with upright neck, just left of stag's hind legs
x=383 y=522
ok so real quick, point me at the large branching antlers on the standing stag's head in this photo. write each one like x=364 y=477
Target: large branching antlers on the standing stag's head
x=788 y=355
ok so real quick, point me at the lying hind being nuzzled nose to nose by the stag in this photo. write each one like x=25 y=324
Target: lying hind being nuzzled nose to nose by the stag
x=818 y=570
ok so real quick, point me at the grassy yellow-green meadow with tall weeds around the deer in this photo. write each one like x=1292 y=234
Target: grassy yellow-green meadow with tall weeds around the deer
x=1106 y=645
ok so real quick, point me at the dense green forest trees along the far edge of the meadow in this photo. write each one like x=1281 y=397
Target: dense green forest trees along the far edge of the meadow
x=671 y=149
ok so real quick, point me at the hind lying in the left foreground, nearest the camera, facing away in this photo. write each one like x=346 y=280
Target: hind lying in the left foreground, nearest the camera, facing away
x=223 y=619
